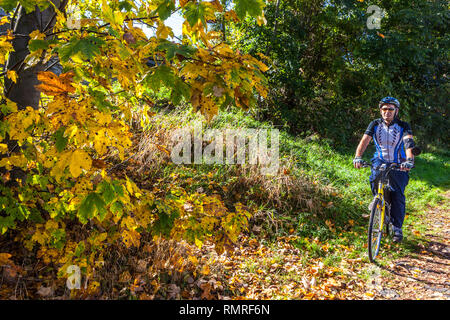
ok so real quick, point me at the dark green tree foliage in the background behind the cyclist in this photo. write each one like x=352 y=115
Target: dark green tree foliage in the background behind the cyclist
x=327 y=70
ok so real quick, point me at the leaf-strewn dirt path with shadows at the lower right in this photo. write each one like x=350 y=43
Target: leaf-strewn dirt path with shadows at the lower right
x=424 y=275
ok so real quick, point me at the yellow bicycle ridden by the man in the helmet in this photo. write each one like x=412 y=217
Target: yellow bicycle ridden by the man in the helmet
x=380 y=218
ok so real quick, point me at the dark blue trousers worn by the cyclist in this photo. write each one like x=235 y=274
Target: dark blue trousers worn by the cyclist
x=398 y=181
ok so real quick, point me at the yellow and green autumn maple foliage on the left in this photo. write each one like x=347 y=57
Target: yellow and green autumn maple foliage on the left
x=68 y=146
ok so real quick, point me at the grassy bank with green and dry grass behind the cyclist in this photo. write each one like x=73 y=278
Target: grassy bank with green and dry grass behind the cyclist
x=322 y=197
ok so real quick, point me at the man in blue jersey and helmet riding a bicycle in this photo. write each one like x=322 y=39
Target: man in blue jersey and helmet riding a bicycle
x=394 y=144
